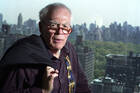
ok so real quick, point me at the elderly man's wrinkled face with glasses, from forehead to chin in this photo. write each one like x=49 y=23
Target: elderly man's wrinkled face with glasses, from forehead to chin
x=55 y=30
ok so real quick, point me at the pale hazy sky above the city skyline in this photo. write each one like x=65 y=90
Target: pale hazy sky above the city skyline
x=102 y=11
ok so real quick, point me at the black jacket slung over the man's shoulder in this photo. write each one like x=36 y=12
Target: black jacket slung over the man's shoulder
x=29 y=50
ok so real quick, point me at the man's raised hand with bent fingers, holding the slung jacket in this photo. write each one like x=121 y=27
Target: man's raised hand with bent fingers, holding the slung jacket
x=48 y=79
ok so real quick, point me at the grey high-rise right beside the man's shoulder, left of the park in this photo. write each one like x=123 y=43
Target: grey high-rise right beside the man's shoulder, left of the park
x=86 y=58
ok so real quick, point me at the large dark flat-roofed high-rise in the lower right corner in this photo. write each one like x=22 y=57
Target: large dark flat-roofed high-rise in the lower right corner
x=124 y=70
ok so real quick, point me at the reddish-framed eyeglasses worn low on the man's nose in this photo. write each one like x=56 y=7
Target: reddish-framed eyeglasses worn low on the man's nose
x=66 y=29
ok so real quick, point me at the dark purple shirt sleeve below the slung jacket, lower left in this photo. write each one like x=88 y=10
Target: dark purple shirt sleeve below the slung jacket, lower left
x=20 y=80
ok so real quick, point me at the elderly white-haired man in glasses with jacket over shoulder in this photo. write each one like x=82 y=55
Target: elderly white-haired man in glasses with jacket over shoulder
x=46 y=63
